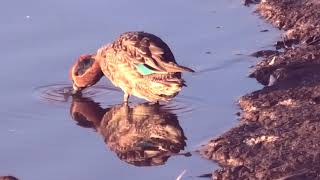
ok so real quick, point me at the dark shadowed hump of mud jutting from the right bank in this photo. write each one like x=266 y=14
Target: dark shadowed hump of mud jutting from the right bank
x=300 y=65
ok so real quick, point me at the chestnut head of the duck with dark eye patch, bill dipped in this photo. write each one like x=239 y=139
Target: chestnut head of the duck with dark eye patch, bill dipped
x=85 y=72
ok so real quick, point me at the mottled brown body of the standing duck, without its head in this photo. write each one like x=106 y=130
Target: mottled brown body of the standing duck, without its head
x=141 y=64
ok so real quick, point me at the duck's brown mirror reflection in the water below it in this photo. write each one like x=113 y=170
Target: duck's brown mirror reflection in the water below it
x=143 y=134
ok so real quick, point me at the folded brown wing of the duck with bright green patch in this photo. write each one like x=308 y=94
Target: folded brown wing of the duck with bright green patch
x=148 y=53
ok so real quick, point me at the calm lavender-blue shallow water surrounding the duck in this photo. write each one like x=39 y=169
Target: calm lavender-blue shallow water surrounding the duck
x=42 y=138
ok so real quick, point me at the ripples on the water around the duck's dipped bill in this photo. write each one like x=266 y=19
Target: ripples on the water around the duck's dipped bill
x=62 y=92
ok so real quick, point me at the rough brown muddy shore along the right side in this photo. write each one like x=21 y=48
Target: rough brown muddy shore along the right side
x=278 y=136
